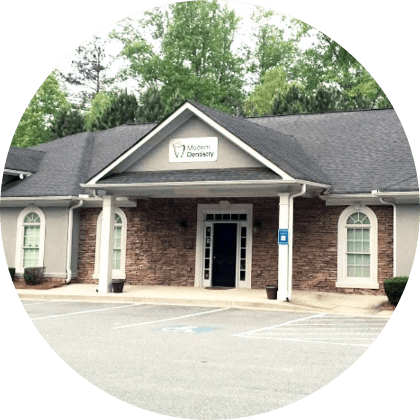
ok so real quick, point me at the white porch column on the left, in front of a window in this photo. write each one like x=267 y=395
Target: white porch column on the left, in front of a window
x=107 y=244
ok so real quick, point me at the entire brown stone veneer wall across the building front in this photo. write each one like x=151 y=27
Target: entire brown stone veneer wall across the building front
x=159 y=254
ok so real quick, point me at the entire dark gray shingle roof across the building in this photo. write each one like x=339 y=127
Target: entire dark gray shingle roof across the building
x=353 y=151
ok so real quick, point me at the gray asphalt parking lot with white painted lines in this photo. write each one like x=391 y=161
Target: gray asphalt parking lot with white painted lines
x=199 y=362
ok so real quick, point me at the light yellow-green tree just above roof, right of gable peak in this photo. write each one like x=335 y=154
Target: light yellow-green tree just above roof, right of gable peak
x=260 y=101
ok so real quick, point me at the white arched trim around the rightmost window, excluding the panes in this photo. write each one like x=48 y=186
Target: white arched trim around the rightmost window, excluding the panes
x=356 y=282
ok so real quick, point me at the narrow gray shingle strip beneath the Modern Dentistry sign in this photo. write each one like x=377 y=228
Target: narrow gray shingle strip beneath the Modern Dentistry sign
x=191 y=175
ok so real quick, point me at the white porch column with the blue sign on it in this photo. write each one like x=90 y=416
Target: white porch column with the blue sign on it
x=282 y=293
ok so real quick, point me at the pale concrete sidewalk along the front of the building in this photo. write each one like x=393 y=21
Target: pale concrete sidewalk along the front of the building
x=302 y=301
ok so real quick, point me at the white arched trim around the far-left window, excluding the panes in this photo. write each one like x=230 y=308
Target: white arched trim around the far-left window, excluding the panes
x=19 y=238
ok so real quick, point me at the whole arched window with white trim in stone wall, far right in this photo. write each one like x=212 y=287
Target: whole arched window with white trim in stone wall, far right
x=357 y=249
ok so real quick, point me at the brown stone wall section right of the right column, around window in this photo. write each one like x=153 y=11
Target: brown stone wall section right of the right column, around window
x=315 y=246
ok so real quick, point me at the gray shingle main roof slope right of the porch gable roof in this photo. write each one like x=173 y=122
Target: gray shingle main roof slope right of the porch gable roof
x=359 y=151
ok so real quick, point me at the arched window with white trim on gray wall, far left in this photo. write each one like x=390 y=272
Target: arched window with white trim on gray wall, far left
x=30 y=239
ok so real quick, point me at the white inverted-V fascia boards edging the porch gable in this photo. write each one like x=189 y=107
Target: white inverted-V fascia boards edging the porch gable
x=210 y=122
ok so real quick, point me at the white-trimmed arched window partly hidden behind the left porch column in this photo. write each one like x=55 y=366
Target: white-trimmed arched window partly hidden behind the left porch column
x=119 y=247
